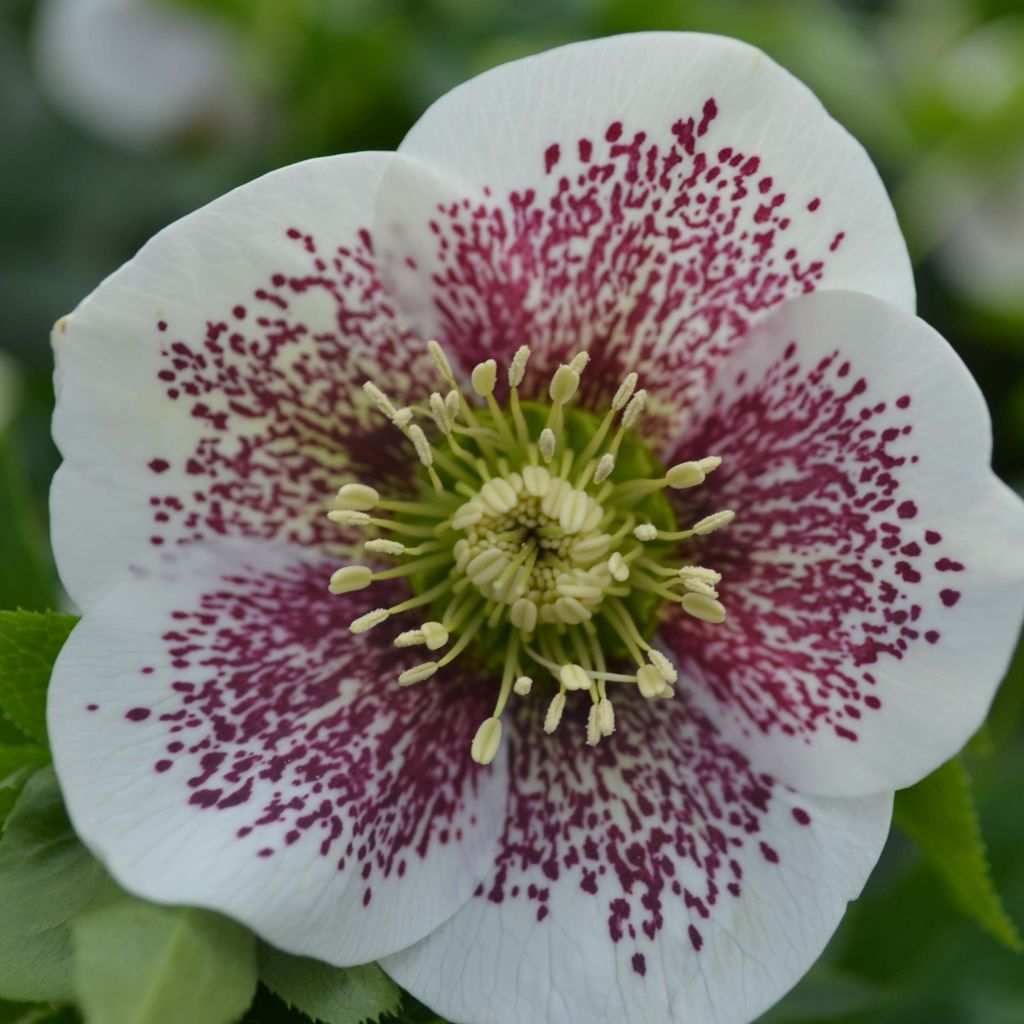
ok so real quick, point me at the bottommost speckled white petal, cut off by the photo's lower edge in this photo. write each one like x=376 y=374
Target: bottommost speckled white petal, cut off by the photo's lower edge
x=654 y=880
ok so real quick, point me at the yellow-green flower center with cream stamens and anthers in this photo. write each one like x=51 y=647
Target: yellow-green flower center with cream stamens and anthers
x=542 y=543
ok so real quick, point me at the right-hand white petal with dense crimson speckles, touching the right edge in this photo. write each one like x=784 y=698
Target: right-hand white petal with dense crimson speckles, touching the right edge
x=874 y=576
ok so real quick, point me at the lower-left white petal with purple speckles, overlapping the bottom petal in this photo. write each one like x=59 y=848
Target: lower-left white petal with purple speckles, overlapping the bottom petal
x=224 y=742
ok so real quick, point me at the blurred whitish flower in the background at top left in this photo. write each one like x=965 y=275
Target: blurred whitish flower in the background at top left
x=139 y=74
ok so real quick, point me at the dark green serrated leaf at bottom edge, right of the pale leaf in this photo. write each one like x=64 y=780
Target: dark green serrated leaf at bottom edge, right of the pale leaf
x=332 y=995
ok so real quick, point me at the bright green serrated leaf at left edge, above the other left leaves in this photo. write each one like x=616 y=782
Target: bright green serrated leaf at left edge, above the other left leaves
x=30 y=643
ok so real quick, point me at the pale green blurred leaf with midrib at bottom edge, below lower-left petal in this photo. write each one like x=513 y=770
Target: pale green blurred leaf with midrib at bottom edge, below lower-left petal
x=137 y=963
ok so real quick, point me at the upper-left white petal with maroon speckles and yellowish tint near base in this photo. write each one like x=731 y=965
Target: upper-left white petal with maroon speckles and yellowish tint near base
x=208 y=388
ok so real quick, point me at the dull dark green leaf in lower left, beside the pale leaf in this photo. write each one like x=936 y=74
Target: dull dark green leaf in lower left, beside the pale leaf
x=47 y=878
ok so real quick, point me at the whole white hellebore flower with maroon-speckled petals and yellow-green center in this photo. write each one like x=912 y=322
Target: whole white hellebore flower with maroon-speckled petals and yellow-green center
x=565 y=742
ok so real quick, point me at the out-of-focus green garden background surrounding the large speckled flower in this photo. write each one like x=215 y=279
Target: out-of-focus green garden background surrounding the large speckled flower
x=107 y=138
